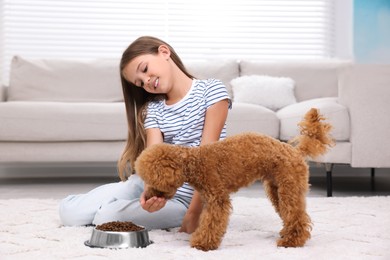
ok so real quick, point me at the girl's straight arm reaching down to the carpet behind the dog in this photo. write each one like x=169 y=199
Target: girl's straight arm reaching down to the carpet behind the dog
x=214 y=122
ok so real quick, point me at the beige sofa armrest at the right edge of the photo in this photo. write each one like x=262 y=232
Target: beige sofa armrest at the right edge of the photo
x=365 y=90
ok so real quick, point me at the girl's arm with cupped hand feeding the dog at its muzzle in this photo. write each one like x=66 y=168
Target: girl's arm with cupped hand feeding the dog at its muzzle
x=153 y=136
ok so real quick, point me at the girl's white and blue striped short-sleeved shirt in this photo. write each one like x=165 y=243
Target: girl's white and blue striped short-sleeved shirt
x=182 y=123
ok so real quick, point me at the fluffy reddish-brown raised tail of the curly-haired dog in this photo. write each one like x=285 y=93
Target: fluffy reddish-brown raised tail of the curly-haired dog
x=314 y=139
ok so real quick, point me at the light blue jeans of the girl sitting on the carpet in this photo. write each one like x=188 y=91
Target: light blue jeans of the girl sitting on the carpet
x=120 y=202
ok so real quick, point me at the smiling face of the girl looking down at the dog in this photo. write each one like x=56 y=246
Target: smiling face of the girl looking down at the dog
x=150 y=71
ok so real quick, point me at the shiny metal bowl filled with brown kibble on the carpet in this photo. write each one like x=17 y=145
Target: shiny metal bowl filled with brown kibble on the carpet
x=118 y=235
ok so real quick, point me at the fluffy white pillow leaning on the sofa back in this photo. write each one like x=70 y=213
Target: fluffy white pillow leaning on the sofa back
x=271 y=92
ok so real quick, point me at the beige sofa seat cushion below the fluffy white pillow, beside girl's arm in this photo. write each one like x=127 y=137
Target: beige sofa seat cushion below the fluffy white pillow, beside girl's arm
x=245 y=117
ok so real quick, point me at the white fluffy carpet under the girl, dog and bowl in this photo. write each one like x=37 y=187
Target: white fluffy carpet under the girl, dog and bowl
x=344 y=228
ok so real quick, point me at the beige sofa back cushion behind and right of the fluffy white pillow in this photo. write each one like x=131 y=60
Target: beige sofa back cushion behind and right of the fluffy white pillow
x=314 y=79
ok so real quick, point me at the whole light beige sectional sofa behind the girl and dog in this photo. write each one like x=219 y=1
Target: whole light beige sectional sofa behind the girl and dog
x=59 y=111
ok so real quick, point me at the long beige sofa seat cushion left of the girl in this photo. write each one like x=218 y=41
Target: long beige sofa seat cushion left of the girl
x=60 y=121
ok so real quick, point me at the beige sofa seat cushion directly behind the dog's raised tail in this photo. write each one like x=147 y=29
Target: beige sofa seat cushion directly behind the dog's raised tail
x=336 y=114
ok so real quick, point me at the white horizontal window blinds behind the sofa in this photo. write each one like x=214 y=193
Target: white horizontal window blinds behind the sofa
x=89 y=29
